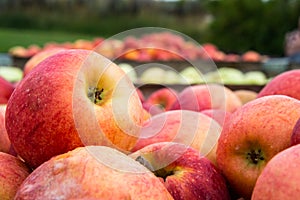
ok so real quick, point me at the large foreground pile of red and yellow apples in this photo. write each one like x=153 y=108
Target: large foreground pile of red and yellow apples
x=76 y=127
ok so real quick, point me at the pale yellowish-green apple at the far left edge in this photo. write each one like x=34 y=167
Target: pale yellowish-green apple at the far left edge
x=11 y=74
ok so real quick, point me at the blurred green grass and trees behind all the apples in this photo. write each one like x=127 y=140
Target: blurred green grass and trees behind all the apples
x=234 y=26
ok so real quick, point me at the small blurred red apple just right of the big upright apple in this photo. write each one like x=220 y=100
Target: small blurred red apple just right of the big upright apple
x=164 y=98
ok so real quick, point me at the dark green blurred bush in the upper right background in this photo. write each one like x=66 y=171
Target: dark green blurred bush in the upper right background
x=240 y=25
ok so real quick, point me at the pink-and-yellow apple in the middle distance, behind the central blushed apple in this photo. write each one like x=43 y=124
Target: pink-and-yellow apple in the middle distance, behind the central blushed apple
x=207 y=96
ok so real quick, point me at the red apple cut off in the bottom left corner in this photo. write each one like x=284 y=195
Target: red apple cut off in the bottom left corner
x=13 y=172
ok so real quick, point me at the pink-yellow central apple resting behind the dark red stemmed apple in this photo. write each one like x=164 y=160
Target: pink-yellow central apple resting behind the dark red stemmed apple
x=183 y=126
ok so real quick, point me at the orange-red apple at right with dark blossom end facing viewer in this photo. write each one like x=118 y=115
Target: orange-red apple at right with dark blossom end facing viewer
x=254 y=134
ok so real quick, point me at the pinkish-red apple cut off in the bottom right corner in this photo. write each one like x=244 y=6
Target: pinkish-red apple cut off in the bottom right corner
x=280 y=179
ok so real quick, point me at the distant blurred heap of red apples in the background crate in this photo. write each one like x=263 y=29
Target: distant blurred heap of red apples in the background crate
x=160 y=46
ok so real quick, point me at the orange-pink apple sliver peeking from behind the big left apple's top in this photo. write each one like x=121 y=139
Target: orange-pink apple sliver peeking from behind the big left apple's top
x=37 y=58
